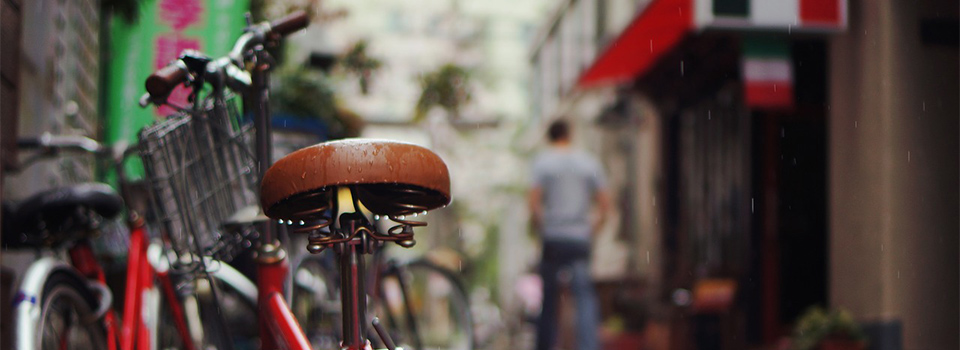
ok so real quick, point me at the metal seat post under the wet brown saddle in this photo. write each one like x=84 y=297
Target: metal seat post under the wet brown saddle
x=354 y=296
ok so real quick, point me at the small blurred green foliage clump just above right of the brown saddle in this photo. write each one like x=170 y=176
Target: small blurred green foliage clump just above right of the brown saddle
x=448 y=88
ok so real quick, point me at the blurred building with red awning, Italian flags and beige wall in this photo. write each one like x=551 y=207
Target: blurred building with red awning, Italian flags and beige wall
x=775 y=145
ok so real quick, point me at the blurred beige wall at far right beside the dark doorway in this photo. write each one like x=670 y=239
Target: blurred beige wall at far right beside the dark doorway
x=894 y=172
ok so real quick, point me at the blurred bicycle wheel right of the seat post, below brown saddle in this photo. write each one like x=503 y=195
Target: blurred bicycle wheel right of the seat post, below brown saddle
x=425 y=307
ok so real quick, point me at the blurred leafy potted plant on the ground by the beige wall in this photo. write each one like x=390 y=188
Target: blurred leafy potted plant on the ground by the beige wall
x=820 y=329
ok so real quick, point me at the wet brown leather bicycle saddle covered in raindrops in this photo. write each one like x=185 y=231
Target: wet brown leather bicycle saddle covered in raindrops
x=391 y=178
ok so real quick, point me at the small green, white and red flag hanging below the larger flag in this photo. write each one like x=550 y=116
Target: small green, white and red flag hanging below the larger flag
x=767 y=72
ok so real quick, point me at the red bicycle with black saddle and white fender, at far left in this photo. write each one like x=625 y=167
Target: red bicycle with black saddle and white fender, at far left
x=67 y=303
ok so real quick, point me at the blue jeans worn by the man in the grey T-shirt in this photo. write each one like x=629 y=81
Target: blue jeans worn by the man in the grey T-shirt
x=574 y=257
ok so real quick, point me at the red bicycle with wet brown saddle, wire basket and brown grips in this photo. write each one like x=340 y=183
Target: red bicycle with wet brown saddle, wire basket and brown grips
x=333 y=205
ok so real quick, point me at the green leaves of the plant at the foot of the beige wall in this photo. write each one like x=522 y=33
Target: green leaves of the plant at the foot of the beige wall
x=818 y=324
